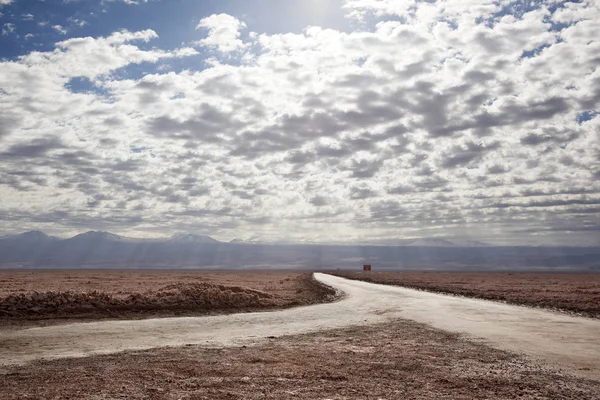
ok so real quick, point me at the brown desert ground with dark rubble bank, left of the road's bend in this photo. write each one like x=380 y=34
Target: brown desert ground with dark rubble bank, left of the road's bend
x=55 y=295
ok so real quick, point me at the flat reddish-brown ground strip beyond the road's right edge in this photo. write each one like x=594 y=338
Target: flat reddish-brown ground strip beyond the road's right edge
x=577 y=293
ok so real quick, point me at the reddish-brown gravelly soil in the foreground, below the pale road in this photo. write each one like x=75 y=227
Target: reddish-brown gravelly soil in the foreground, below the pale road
x=397 y=360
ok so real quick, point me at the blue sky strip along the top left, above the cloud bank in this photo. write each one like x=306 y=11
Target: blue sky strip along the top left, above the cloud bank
x=38 y=25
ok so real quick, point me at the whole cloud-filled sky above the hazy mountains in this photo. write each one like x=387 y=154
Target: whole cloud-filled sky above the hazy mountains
x=321 y=121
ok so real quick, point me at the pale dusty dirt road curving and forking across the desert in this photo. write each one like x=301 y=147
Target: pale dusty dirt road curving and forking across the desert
x=572 y=343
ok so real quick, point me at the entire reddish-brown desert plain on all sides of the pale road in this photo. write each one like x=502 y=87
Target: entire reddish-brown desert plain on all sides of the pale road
x=375 y=360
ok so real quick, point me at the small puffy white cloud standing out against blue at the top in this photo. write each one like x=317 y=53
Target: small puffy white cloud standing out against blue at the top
x=224 y=33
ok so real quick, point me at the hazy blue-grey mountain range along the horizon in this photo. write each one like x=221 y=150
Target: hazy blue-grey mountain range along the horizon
x=96 y=249
